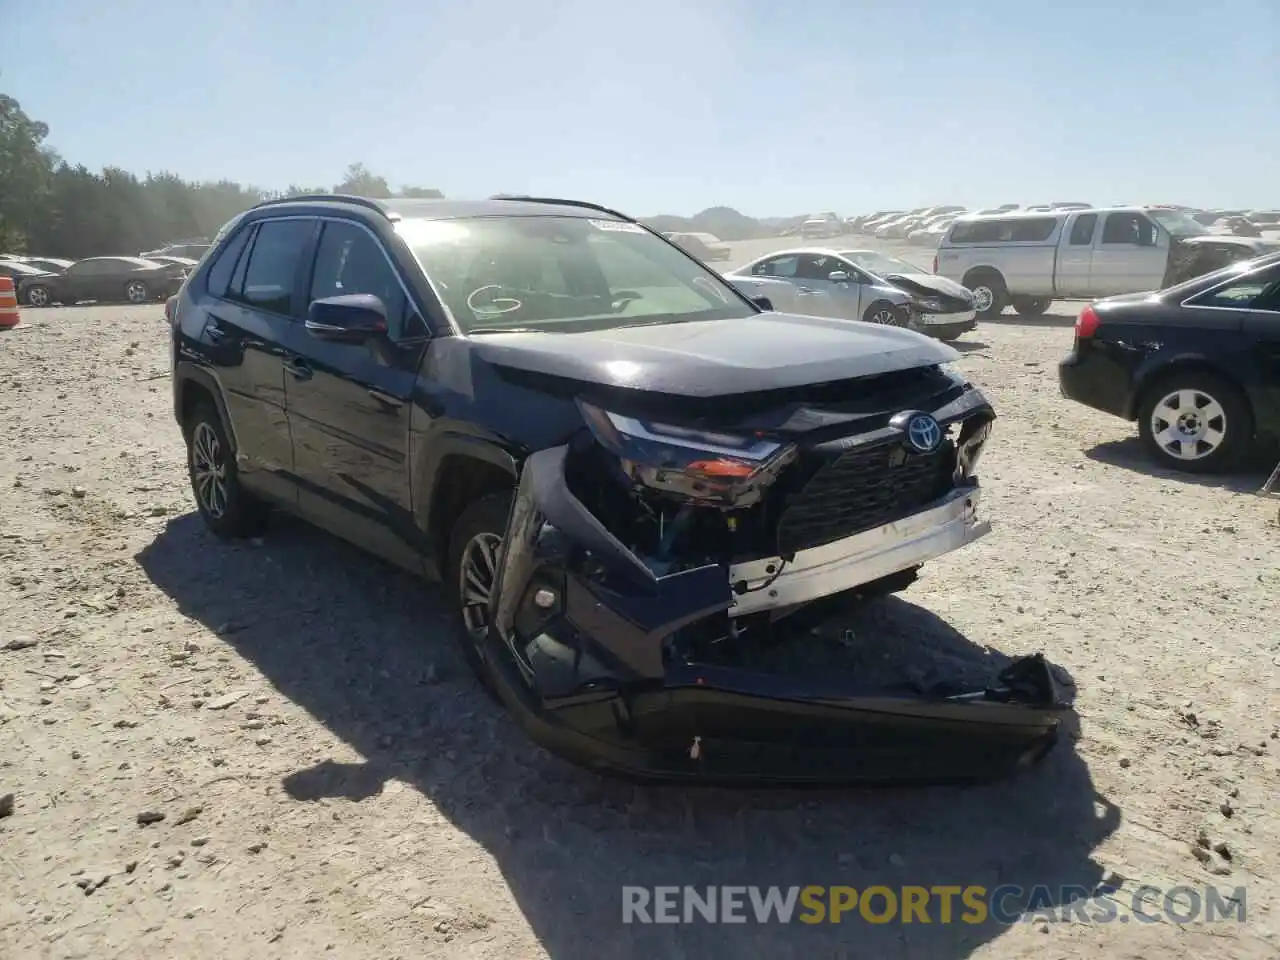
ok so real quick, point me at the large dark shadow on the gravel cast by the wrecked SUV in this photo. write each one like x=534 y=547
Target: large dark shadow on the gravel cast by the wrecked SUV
x=368 y=652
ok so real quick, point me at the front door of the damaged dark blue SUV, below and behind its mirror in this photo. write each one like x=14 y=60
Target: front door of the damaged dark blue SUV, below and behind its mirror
x=350 y=405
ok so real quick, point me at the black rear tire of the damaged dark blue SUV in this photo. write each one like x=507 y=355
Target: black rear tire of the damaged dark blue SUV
x=237 y=514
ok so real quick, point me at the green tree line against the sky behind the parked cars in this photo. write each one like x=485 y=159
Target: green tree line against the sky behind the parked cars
x=57 y=209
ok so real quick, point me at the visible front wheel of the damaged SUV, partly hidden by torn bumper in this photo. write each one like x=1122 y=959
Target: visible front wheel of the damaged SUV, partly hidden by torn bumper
x=476 y=545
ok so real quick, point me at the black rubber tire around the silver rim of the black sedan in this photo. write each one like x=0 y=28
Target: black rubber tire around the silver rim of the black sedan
x=1236 y=422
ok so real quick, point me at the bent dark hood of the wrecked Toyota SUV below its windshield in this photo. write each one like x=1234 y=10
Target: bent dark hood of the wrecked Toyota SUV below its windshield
x=719 y=358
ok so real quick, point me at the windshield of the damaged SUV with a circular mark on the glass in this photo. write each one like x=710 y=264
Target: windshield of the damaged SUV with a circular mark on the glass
x=560 y=275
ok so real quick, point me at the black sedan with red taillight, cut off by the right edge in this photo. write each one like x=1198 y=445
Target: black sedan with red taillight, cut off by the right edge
x=1197 y=365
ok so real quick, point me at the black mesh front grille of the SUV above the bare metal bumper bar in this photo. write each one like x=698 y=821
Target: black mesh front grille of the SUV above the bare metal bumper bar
x=863 y=490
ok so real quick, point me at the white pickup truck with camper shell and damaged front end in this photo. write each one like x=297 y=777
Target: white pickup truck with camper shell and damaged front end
x=1031 y=259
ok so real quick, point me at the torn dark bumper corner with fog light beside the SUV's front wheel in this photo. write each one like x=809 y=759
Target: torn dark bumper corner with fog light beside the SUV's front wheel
x=611 y=614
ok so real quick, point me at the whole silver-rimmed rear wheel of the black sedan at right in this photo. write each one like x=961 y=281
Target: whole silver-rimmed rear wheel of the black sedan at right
x=1196 y=423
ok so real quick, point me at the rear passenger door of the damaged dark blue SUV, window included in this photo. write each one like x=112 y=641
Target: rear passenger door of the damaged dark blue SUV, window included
x=254 y=301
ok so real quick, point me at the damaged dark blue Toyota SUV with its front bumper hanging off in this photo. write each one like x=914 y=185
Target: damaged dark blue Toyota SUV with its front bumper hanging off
x=625 y=473
